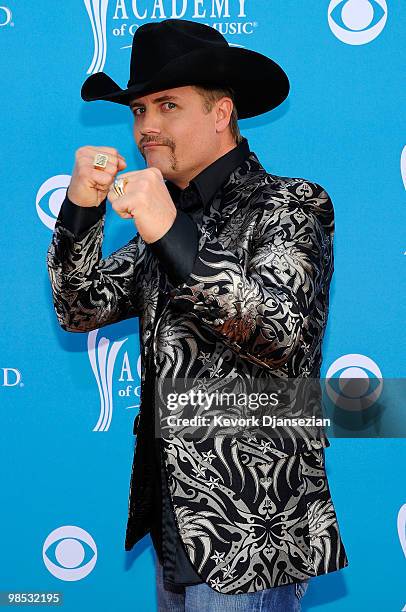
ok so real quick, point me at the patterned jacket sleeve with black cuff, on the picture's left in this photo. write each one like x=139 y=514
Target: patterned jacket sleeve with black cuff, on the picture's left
x=89 y=291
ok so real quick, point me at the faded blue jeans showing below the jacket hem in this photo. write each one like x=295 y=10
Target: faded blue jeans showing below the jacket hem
x=202 y=598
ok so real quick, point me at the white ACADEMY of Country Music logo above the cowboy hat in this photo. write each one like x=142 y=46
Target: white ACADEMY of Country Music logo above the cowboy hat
x=123 y=17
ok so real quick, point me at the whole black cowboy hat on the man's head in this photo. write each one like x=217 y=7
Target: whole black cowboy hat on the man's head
x=177 y=52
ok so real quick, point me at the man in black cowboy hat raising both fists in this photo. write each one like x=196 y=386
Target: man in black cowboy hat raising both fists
x=229 y=274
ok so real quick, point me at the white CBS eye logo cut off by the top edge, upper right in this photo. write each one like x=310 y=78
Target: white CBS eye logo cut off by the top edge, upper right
x=357 y=22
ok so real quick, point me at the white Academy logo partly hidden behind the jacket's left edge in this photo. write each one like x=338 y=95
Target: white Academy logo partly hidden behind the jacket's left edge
x=103 y=354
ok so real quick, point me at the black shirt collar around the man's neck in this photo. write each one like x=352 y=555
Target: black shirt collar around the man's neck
x=210 y=179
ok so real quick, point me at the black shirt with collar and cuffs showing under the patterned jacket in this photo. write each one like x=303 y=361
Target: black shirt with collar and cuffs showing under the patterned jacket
x=177 y=257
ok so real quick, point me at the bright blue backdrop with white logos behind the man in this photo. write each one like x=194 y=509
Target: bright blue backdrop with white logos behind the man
x=68 y=400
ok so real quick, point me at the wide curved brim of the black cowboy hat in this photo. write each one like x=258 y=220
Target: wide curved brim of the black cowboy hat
x=259 y=83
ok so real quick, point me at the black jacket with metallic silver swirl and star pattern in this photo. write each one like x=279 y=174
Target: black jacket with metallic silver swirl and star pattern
x=252 y=512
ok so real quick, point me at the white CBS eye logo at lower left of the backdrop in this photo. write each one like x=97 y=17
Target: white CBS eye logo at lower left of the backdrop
x=69 y=553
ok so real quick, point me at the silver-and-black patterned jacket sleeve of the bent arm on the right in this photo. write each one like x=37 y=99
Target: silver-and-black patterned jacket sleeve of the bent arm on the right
x=260 y=310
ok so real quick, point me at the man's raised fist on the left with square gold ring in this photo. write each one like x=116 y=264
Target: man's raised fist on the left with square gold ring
x=89 y=186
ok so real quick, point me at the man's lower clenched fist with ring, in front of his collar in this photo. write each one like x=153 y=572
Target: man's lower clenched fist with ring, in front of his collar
x=148 y=201
